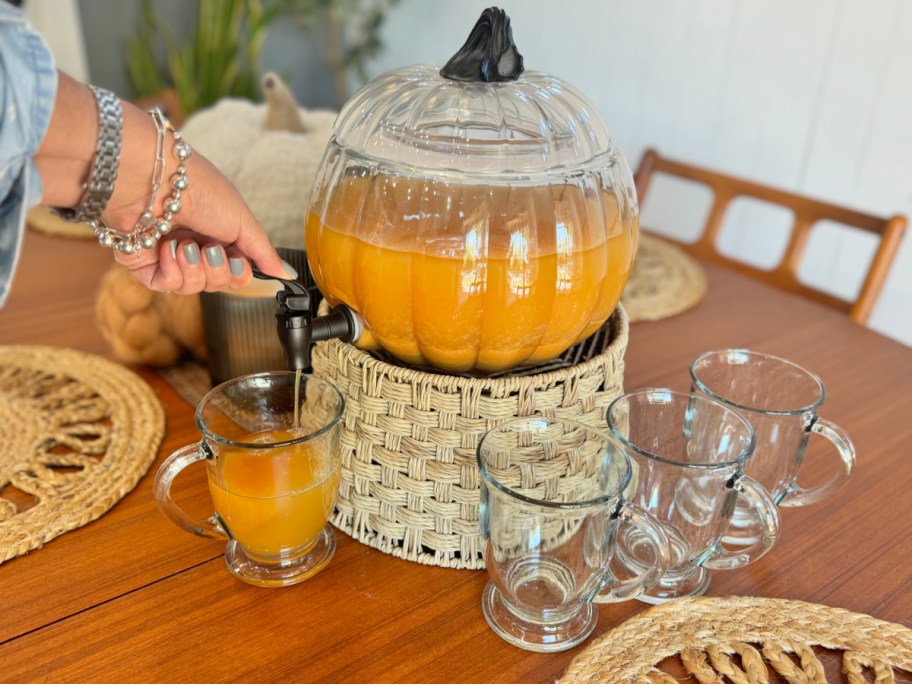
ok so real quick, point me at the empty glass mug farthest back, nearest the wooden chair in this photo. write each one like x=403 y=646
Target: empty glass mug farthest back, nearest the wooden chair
x=780 y=400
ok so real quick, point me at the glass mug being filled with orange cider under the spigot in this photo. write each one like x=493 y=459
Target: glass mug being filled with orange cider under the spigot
x=271 y=447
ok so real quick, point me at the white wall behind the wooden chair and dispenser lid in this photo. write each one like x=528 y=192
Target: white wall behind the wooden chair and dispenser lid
x=812 y=96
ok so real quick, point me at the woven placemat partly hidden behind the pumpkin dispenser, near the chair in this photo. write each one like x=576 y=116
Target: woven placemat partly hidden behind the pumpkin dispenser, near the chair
x=665 y=281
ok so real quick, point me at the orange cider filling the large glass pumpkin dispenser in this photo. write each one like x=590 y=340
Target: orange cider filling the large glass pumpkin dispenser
x=471 y=277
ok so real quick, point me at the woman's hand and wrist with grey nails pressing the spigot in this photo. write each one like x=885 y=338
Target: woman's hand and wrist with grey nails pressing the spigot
x=214 y=236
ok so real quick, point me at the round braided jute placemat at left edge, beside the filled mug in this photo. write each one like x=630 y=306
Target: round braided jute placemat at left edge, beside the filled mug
x=79 y=432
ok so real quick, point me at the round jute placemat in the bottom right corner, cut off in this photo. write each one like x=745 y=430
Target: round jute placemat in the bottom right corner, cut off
x=744 y=640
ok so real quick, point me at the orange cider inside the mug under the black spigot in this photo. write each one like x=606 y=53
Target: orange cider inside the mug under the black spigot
x=274 y=501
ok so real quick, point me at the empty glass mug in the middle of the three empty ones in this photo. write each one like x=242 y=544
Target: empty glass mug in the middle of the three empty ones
x=688 y=453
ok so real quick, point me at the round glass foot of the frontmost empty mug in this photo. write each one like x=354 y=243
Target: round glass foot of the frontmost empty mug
x=536 y=636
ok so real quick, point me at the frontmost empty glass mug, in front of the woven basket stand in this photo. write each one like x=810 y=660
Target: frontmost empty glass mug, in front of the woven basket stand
x=552 y=513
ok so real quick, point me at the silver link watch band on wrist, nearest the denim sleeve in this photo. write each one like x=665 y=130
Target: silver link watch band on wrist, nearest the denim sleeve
x=98 y=188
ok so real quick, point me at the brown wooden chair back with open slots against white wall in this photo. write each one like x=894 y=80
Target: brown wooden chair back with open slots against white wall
x=807 y=212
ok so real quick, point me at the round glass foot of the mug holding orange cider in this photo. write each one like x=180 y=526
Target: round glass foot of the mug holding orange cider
x=285 y=572
